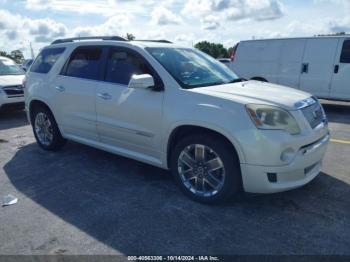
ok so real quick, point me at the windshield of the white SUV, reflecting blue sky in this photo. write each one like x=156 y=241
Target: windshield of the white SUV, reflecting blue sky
x=192 y=68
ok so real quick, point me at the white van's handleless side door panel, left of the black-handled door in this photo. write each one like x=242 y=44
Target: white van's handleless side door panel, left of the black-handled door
x=291 y=58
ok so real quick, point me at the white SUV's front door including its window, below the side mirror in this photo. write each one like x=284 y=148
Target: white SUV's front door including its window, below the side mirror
x=127 y=118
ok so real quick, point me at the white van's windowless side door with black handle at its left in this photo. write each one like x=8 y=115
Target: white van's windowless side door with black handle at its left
x=318 y=64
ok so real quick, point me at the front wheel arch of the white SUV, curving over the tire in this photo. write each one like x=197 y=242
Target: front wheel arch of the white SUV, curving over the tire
x=187 y=129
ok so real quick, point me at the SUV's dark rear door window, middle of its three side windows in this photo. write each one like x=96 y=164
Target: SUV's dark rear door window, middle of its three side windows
x=84 y=63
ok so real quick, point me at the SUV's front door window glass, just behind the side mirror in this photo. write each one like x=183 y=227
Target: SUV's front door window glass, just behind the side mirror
x=121 y=65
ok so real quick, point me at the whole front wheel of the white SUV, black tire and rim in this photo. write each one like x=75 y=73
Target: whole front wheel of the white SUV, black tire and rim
x=206 y=168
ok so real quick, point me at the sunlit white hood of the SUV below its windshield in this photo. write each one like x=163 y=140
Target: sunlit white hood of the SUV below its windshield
x=257 y=92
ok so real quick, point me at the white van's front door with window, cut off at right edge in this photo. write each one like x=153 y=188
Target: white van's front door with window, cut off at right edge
x=341 y=79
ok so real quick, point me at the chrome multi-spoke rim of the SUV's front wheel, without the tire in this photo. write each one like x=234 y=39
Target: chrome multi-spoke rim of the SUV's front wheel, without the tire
x=201 y=170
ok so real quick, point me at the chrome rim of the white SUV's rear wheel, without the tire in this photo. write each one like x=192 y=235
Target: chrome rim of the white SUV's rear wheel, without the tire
x=43 y=129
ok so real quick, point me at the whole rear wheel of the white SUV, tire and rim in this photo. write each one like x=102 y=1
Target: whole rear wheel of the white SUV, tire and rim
x=45 y=129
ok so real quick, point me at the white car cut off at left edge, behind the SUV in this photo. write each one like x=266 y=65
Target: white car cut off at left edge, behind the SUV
x=11 y=84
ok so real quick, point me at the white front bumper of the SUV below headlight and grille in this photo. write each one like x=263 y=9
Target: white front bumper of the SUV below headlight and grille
x=305 y=167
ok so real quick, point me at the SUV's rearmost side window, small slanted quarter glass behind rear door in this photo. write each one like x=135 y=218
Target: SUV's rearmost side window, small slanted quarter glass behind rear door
x=46 y=59
